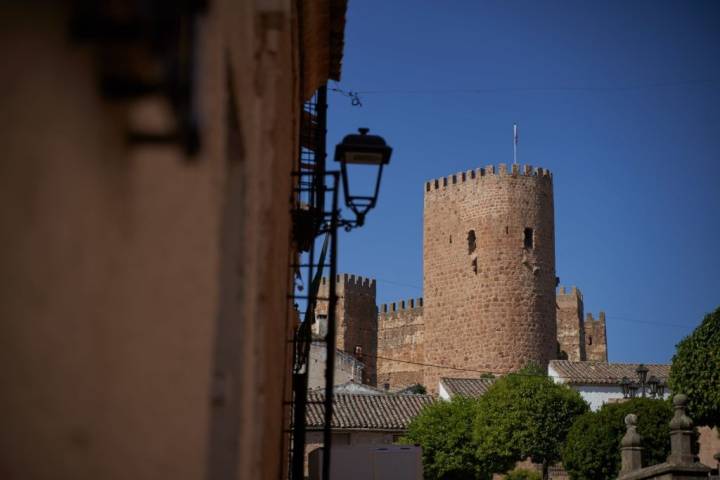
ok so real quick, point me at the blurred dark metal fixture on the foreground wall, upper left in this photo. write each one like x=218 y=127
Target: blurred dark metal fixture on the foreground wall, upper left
x=145 y=48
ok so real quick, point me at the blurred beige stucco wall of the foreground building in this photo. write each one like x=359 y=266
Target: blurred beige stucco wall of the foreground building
x=119 y=263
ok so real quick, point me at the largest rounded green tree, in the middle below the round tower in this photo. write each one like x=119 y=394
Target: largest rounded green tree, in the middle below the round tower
x=524 y=415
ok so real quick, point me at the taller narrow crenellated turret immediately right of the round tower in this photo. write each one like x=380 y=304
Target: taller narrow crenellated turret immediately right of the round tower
x=570 y=326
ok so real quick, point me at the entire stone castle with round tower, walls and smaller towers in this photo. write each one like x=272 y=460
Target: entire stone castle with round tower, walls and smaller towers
x=490 y=301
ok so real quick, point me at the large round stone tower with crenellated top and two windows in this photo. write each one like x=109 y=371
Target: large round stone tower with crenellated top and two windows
x=489 y=272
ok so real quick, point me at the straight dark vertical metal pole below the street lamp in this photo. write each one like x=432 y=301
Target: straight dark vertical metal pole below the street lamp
x=330 y=337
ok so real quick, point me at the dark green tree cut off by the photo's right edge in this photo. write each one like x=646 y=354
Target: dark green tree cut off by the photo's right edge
x=695 y=371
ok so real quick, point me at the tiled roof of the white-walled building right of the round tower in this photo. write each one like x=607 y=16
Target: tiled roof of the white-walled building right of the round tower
x=603 y=373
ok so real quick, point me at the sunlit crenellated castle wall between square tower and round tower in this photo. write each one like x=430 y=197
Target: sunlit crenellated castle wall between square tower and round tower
x=400 y=336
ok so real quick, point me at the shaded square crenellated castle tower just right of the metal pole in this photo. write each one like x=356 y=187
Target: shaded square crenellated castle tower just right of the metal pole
x=357 y=329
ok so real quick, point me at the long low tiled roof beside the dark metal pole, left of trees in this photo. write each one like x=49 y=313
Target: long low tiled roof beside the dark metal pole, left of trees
x=367 y=412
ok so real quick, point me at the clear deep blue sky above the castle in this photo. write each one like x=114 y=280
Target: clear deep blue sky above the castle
x=619 y=99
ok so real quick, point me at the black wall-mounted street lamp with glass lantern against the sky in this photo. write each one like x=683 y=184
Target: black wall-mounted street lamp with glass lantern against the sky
x=361 y=149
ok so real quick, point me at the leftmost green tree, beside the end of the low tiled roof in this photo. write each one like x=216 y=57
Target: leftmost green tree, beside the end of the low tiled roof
x=444 y=431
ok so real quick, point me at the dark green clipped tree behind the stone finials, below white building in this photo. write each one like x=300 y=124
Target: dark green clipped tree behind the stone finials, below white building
x=592 y=449
